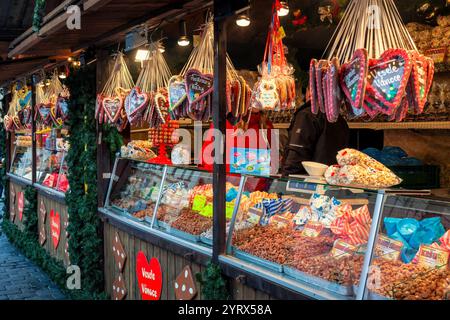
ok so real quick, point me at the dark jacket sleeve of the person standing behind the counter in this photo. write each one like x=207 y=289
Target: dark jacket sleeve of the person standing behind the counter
x=304 y=133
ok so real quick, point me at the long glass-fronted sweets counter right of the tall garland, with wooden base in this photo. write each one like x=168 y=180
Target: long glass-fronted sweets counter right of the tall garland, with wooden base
x=286 y=238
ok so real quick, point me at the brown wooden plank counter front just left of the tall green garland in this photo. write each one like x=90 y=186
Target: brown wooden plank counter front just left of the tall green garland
x=61 y=208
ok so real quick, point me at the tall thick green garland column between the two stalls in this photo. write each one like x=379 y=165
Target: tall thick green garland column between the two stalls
x=86 y=239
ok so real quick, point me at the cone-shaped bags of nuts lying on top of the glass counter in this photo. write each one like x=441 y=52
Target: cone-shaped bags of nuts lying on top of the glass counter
x=358 y=169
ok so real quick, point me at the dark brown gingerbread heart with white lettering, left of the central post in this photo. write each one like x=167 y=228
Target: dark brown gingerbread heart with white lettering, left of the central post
x=198 y=85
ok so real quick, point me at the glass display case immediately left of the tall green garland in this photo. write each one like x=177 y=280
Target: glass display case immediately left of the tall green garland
x=51 y=164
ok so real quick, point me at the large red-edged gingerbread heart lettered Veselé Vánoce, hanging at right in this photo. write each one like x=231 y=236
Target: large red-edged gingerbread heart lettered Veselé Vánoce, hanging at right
x=388 y=77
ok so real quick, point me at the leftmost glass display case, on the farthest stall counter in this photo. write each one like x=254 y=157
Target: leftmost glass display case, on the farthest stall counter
x=22 y=157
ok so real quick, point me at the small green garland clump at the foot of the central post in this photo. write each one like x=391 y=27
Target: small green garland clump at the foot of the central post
x=214 y=286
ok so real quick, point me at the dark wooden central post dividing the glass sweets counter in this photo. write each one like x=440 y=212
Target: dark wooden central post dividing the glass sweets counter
x=219 y=121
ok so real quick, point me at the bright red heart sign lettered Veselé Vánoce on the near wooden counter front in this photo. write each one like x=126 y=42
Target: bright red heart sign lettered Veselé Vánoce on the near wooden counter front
x=149 y=277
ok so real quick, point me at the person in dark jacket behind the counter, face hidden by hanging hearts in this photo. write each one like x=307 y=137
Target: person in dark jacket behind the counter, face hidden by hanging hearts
x=313 y=138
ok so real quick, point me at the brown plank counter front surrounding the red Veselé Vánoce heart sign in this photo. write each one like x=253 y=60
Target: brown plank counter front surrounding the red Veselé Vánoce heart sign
x=171 y=266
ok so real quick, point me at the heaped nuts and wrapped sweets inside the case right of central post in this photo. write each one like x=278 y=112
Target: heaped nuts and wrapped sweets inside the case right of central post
x=327 y=239
